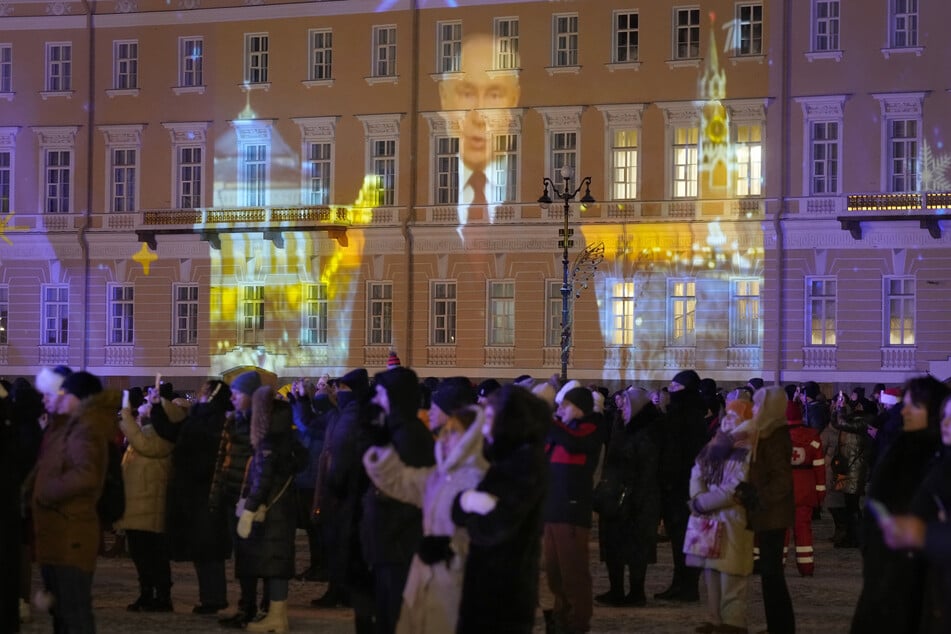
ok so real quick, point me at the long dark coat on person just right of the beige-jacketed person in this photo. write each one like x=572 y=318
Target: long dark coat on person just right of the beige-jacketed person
x=196 y=530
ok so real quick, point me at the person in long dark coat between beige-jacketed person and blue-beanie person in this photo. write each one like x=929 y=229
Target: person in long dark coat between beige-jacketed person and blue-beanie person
x=198 y=532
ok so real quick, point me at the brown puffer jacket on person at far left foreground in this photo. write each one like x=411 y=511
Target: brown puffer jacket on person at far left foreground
x=69 y=477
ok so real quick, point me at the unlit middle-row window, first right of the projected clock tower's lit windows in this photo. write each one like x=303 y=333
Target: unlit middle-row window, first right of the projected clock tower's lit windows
x=822 y=110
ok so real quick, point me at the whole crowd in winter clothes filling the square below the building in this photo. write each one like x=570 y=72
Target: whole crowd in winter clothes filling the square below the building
x=434 y=505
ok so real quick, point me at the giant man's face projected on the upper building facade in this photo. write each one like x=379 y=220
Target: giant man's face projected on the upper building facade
x=473 y=91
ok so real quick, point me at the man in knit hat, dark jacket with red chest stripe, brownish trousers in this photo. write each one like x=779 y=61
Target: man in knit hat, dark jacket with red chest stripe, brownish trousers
x=574 y=444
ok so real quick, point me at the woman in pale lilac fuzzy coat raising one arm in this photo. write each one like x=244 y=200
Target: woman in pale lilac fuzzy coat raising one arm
x=434 y=586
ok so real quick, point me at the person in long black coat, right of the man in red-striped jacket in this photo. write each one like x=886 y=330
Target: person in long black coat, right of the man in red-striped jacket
x=631 y=464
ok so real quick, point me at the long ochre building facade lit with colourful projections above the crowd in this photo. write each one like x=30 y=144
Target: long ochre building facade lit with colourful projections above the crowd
x=301 y=199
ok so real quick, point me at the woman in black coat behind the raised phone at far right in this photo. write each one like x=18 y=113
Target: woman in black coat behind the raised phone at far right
x=893 y=581
